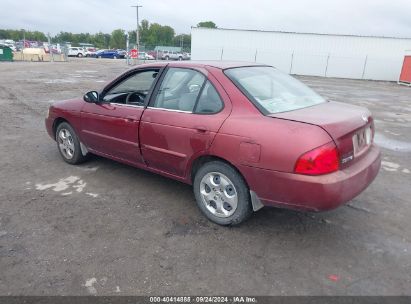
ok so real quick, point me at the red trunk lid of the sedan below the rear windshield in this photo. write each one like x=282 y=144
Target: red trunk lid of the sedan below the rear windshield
x=351 y=127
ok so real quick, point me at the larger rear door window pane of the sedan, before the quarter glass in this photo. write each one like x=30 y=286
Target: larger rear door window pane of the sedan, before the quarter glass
x=179 y=90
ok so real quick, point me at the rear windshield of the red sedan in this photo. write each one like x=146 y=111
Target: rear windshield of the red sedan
x=272 y=91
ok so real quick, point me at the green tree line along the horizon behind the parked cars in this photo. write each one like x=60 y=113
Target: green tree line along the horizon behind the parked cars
x=151 y=35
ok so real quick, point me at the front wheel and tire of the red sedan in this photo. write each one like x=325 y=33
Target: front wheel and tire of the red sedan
x=68 y=144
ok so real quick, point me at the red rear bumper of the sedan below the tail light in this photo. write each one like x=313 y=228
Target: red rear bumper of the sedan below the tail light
x=315 y=193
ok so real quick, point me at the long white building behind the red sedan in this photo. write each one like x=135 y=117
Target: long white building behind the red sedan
x=344 y=56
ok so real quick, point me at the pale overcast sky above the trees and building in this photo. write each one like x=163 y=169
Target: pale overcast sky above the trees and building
x=356 y=17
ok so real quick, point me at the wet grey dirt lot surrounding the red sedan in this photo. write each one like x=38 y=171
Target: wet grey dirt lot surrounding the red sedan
x=104 y=228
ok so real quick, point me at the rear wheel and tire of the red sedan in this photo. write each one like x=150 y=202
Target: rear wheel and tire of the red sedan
x=222 y=194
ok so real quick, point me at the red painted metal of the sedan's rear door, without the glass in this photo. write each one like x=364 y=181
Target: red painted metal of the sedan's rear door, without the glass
x=172 y=139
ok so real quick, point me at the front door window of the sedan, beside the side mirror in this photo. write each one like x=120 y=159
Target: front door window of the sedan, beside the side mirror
x=132 y=90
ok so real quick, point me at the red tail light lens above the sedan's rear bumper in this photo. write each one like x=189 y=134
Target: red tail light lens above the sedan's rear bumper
x=321 y=160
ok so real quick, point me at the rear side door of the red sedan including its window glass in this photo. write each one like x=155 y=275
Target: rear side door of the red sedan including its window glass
x=182 y=119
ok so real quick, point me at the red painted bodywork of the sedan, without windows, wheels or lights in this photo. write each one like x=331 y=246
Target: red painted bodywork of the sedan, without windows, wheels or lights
x=263 y=149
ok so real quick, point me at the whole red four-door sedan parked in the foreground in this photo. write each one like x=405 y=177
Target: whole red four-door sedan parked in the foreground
x=244 y=135
